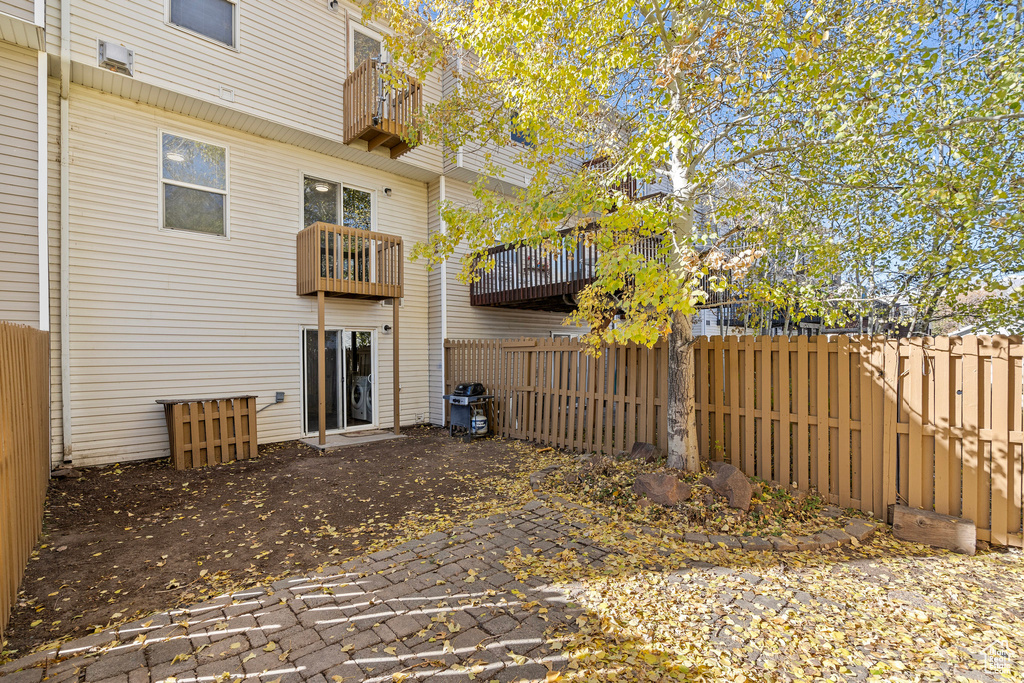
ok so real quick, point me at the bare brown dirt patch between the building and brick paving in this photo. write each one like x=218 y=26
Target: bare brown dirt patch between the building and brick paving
x=129 y=540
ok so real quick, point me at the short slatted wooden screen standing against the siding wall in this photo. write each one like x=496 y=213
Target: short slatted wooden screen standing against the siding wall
x=210 y=432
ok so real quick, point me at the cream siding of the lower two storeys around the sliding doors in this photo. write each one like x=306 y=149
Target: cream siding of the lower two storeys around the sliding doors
x=164 y=315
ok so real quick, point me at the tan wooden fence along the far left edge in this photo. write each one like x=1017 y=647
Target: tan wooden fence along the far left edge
x=25 y=450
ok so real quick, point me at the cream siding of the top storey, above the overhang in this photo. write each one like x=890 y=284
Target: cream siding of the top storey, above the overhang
x=290 y=65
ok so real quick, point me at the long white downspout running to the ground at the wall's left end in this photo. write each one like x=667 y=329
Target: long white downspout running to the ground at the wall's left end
x=65 y=230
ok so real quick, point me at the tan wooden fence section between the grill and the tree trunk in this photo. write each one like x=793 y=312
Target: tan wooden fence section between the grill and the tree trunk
x=552 y=393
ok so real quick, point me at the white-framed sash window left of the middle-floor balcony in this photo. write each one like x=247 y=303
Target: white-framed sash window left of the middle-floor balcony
x=194 y=179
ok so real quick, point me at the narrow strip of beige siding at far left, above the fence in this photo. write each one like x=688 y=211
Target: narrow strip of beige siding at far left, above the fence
x=19 y=186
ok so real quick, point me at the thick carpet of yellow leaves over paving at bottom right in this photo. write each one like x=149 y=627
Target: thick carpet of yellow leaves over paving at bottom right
x=888 y=611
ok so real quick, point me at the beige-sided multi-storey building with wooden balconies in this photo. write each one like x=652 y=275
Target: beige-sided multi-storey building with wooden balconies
x=158 y=160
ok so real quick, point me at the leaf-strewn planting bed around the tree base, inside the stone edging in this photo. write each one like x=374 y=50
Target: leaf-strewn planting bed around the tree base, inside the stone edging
x=607 y=486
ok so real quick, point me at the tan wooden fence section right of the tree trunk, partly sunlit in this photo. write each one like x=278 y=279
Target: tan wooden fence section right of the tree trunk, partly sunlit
x=933 y=423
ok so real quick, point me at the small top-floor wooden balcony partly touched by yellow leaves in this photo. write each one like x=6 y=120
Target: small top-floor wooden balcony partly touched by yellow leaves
x=377 y=112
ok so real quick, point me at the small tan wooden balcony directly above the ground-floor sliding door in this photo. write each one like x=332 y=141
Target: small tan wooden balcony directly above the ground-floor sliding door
x=349 y=263
